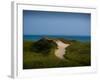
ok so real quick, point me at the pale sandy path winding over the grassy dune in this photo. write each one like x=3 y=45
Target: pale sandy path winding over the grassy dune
x=61 y=49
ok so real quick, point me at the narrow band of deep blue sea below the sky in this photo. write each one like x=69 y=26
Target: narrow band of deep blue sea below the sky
x=38 y=37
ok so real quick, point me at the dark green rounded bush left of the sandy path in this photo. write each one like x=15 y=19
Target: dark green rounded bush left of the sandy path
x=43 y=46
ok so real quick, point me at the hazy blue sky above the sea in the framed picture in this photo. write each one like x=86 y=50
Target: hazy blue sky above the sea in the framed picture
x=56 y=23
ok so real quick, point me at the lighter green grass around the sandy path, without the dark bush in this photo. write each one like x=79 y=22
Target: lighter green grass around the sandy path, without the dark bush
x=73 y=57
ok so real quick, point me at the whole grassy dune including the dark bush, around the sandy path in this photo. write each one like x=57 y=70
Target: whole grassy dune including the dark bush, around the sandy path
x=40 y=54
